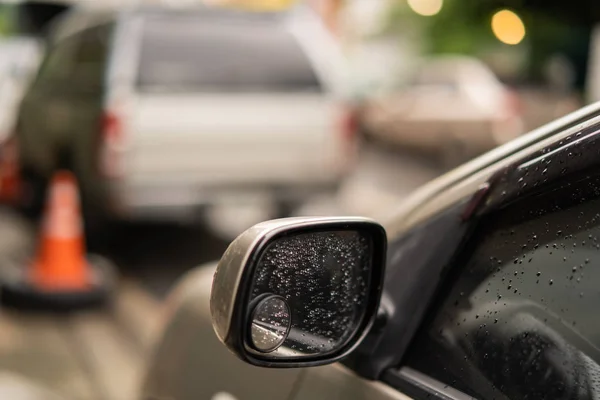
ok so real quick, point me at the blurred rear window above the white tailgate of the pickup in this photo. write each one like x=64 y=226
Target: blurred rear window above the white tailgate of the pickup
x=185 y=54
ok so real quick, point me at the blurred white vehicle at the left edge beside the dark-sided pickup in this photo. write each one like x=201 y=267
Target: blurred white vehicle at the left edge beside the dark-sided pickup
x=19 y=59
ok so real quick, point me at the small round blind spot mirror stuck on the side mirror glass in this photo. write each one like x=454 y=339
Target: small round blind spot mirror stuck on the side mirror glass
x=270 y=324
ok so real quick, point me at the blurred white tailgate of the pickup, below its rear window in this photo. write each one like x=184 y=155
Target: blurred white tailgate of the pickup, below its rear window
x=232 y=139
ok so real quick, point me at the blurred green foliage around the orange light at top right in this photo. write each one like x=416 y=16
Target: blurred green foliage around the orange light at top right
x=464 y=27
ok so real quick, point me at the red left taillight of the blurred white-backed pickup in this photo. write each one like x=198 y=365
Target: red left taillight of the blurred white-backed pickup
x=111 y=145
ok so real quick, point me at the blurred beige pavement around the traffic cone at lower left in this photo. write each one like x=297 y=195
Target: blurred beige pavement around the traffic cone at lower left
x=96 y=355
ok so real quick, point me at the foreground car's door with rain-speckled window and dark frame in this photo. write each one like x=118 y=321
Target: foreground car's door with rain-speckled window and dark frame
x=515 y=316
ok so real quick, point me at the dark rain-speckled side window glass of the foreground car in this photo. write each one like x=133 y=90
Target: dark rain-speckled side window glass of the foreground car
x=519 y=318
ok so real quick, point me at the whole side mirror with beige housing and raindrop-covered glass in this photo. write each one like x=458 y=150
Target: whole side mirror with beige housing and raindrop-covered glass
x=299 y=292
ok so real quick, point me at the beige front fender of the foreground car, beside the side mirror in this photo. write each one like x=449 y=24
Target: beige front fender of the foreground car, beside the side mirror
x=190 y=363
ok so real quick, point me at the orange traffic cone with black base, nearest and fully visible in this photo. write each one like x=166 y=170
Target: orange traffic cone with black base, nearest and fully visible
x=61 y=276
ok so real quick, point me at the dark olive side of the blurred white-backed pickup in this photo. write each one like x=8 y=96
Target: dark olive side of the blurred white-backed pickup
x=61 y=115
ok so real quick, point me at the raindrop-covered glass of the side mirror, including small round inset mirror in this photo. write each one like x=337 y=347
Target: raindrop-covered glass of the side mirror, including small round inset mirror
x=318 y=282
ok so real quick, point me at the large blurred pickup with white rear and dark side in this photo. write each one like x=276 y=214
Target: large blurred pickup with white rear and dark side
x=160 y=112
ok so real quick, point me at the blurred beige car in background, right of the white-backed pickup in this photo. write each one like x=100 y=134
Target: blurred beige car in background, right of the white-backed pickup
x=454 y=108
